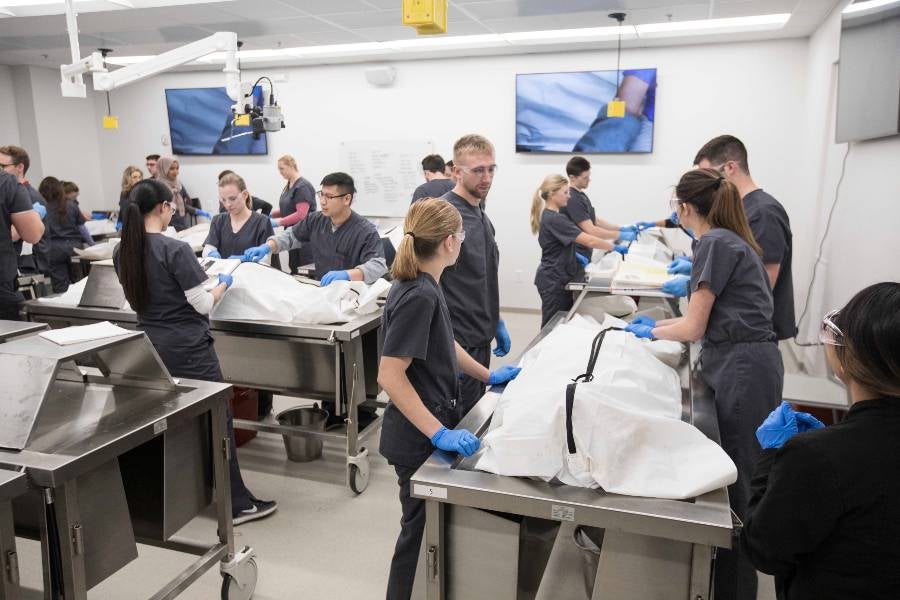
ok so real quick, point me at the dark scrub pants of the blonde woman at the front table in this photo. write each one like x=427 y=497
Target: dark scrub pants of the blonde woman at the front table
x=412 y=528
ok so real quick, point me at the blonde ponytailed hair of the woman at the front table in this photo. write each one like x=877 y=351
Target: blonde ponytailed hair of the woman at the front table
x=428 y=223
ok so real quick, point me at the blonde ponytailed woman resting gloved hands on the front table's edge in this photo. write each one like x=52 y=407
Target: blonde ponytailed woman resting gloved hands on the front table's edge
x=420 y=368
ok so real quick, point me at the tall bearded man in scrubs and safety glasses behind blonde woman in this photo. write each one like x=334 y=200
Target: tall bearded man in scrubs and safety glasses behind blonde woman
x=472 y=286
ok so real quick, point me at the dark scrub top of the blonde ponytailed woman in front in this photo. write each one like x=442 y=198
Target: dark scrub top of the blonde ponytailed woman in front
x=417 y=325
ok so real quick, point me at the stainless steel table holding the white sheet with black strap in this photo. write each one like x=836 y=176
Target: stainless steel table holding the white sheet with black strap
x=490 y=535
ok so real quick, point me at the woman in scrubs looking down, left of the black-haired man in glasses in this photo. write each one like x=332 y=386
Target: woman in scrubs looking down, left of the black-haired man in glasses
x=239 y=227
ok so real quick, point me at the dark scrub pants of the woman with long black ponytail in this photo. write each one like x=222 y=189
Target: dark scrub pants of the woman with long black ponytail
x=200 y=362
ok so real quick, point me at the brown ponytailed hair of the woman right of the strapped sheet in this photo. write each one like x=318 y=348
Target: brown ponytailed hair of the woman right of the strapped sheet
x=718 y=200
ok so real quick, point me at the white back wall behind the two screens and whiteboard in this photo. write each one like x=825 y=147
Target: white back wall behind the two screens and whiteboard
x=753 y=90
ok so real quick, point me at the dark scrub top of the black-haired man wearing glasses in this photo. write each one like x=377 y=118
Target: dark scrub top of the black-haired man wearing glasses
x=352 y=244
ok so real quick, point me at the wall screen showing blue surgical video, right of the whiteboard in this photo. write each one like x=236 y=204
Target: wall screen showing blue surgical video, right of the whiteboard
x=567 y=112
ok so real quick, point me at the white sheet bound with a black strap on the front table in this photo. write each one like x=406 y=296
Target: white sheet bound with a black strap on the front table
x=632 y=394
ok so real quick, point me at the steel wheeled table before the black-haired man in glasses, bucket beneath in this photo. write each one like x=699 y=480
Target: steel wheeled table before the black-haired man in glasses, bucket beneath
x=332 y=363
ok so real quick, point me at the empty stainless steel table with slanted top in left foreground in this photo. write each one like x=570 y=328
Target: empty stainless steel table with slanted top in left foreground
x=115 y=452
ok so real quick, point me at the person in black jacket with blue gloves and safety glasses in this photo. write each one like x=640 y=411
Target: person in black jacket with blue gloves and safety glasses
x=824 y=515
